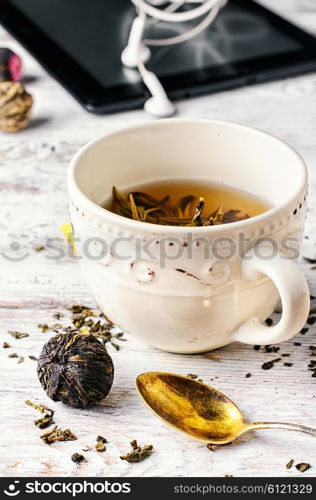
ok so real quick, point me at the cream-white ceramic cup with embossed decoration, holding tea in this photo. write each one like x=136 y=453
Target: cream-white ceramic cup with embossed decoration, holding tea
x=193 y=291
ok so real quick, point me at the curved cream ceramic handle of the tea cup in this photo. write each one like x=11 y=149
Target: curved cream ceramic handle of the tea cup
x=294 y=294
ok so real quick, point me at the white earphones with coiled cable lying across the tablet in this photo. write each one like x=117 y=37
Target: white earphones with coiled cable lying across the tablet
x=137 y=53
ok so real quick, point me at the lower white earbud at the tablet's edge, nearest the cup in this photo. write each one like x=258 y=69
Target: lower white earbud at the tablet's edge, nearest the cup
x=159 y=104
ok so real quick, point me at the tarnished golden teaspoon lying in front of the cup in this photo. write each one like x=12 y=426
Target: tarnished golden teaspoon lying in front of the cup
x=198 y=410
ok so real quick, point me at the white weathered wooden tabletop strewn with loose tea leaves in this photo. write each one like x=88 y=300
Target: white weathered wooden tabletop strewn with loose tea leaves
x=33 y=205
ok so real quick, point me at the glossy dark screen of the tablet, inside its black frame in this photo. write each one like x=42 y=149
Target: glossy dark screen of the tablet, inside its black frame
x=94 y=32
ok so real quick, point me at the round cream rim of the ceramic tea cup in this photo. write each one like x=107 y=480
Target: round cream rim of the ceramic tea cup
x=116 y=219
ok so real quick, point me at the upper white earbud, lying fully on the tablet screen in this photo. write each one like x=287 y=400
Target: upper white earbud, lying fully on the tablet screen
x=135 y=51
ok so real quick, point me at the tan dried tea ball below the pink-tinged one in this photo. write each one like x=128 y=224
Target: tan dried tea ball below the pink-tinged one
x=15 y=106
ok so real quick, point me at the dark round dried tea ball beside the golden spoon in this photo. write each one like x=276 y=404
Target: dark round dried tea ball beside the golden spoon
x=76 y=369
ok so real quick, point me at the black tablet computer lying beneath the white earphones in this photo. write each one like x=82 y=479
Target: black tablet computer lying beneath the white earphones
x=80 y=42
